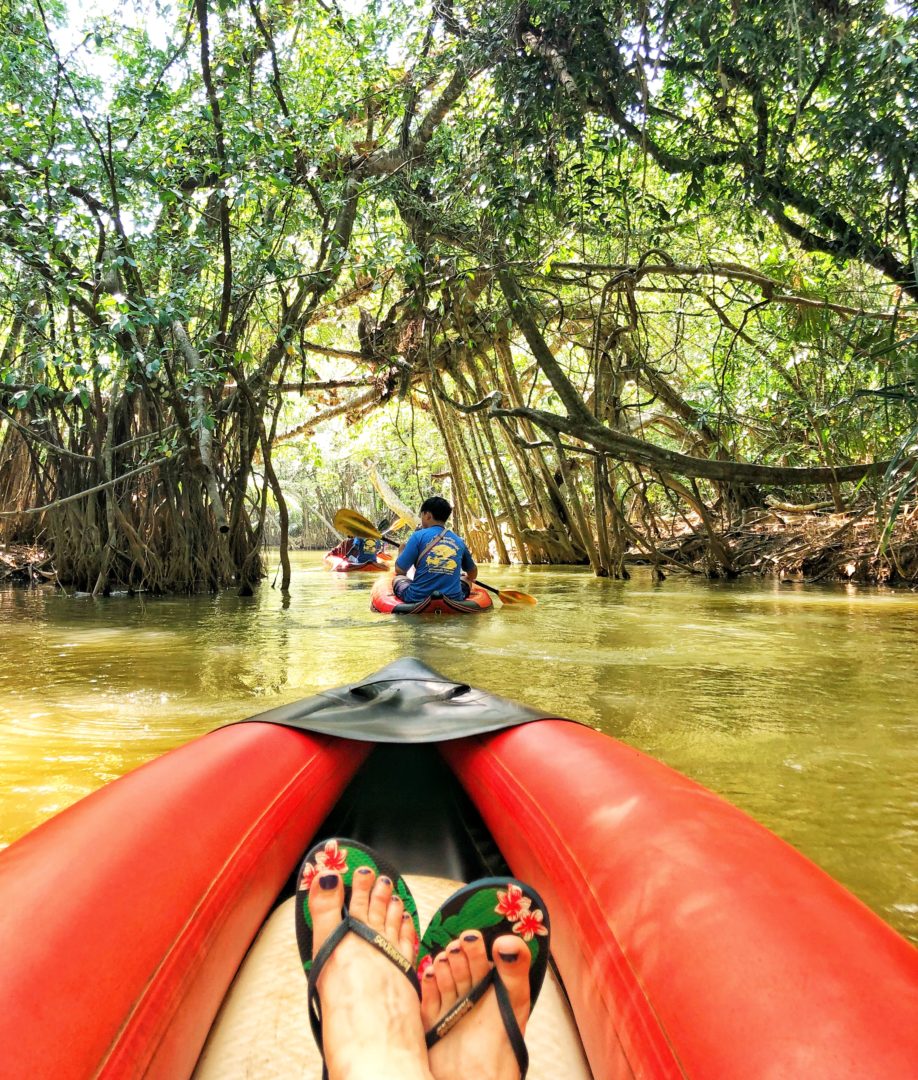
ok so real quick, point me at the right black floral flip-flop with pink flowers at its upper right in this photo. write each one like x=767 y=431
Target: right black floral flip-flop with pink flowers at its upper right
x=493 y=907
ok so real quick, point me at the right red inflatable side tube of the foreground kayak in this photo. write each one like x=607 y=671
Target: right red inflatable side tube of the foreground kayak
x=692 y=941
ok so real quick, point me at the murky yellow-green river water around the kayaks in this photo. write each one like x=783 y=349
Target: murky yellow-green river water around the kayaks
x=799 y=705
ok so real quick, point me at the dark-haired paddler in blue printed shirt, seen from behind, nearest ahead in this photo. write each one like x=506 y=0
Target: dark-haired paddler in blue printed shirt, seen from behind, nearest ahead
x=439 y=557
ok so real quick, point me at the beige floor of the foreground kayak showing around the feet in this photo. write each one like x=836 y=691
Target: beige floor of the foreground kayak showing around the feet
x=262 y=1032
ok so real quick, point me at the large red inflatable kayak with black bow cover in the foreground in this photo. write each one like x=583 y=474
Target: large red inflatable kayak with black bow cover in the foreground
x=691 y=941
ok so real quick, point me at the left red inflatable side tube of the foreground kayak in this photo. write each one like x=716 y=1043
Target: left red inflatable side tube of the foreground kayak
x=154 y=887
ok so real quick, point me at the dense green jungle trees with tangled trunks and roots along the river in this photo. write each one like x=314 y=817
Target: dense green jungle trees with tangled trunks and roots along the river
x=617 y=277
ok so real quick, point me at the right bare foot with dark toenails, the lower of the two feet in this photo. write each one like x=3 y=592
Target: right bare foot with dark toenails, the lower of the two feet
x=478 y=1046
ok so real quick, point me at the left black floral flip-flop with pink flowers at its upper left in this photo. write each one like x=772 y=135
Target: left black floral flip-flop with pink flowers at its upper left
x=345 y=857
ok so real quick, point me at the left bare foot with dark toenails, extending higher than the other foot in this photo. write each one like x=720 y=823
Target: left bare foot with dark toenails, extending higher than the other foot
x=371 y=1019
